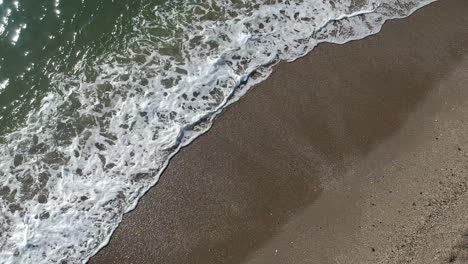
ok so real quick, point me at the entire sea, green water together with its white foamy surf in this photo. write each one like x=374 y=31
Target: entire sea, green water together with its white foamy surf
x=97 y=95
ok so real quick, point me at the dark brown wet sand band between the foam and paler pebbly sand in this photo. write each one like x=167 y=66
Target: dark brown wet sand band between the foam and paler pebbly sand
x=276 y=152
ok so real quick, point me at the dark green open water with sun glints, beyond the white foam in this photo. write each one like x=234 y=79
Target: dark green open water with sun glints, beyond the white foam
x=54 y=36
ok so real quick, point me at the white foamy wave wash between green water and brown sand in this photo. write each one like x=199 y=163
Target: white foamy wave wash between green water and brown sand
x=102 y=137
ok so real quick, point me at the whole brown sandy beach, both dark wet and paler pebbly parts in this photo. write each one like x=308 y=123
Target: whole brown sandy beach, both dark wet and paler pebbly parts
x=356 y=153
